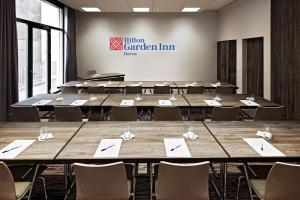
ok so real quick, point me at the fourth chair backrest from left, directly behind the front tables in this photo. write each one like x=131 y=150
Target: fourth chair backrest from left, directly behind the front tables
x=167 y=114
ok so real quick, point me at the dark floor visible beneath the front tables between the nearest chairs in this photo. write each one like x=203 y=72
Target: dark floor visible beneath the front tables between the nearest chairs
x=55 y=184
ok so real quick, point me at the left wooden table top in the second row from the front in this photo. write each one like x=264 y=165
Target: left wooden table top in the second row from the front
x=67 y=99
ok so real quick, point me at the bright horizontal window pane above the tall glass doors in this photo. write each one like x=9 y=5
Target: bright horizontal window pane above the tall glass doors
x=39 y=11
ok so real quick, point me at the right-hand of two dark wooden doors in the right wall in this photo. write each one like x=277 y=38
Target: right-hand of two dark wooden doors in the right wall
x=253 y=66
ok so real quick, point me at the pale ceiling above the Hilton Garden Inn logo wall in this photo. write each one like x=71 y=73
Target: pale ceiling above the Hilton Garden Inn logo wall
x=154 y=5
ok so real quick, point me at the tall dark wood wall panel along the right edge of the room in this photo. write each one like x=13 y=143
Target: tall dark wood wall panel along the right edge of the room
x=285 y=53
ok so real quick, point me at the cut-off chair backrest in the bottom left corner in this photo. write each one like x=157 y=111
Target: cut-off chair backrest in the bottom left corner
x=7 y=184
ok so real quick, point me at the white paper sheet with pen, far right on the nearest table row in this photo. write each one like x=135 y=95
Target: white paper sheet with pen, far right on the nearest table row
x=263 y=147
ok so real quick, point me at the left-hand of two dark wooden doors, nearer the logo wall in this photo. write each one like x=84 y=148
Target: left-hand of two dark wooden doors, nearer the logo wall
x=227 y=61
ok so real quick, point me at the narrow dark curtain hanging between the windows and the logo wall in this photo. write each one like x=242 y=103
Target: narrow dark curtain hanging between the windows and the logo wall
x=71 y=68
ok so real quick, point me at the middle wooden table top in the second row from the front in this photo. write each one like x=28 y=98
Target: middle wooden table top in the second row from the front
x=148 y=100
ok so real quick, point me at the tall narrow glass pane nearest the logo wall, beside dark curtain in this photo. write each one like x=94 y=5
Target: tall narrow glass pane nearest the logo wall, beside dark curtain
x=56 y=59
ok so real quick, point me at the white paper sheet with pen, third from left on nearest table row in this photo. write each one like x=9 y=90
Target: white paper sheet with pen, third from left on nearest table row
x=176 y=147
